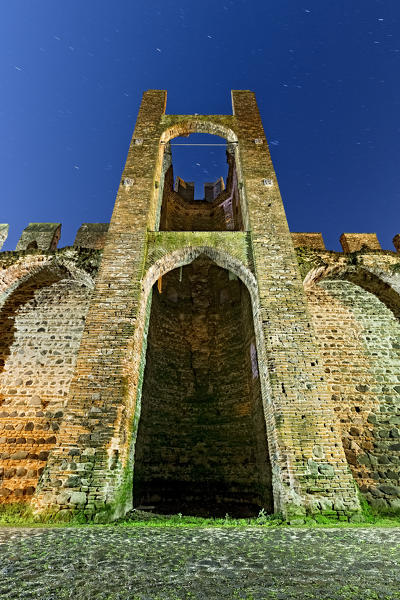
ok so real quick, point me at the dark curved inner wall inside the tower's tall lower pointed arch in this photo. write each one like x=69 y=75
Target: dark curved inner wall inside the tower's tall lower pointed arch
x=201 y=447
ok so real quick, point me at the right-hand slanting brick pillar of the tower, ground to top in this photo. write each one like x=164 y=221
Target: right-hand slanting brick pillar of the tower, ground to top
x=309 y=466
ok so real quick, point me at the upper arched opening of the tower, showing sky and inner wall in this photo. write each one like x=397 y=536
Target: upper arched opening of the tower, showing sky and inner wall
x=200 y=191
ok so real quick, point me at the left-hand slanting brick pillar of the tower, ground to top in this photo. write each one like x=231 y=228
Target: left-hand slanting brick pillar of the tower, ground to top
x=91 y=465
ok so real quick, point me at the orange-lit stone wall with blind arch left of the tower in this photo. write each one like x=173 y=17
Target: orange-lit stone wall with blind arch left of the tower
x=42 y=312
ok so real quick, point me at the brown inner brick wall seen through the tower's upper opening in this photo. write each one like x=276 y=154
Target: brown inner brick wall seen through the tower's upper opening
x=220 y=209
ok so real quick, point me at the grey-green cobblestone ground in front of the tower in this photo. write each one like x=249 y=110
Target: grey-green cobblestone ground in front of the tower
x=121 y=563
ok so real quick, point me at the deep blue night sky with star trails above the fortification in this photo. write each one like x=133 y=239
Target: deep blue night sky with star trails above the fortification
x=325 y=72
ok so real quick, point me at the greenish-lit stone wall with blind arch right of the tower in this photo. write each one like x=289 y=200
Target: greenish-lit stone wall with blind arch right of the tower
x=356 y=318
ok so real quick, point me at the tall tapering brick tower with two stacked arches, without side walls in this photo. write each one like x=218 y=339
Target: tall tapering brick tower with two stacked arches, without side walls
x=198 y=386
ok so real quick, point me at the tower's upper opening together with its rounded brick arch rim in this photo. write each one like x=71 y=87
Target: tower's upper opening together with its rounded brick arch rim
x=217 y=207
